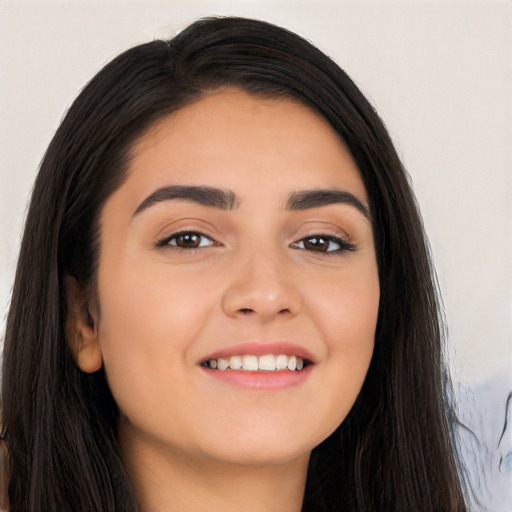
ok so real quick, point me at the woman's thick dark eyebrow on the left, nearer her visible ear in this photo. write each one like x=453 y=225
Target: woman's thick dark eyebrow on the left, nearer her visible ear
x=206 y=196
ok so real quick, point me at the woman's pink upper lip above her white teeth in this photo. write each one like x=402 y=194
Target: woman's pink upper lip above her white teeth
x=261 y=348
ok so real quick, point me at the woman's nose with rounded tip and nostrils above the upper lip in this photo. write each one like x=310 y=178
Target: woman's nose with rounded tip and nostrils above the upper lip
x=262 y=287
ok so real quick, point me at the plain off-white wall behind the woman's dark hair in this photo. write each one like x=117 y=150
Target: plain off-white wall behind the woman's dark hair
x=439 y=74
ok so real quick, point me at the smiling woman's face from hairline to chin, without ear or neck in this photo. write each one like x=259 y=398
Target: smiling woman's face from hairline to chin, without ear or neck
x=240 y=237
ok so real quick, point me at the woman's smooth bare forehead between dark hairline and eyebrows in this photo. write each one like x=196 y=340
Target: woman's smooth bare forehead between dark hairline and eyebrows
x=236 y=139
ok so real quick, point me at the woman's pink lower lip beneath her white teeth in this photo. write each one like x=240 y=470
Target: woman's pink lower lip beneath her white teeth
x=261 y=379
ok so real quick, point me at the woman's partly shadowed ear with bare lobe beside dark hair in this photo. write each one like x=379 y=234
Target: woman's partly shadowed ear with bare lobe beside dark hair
x=81 y=327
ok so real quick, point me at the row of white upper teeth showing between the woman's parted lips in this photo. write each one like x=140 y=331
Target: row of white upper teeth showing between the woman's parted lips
x=253 y=363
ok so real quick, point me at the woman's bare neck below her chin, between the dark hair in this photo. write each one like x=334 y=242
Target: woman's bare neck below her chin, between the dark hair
x=166 y=481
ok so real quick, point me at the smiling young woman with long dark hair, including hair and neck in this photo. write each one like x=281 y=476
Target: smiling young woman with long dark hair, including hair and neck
x=224 y=298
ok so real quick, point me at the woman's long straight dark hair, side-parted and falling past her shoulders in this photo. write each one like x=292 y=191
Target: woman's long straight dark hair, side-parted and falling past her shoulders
x=394 y=450
